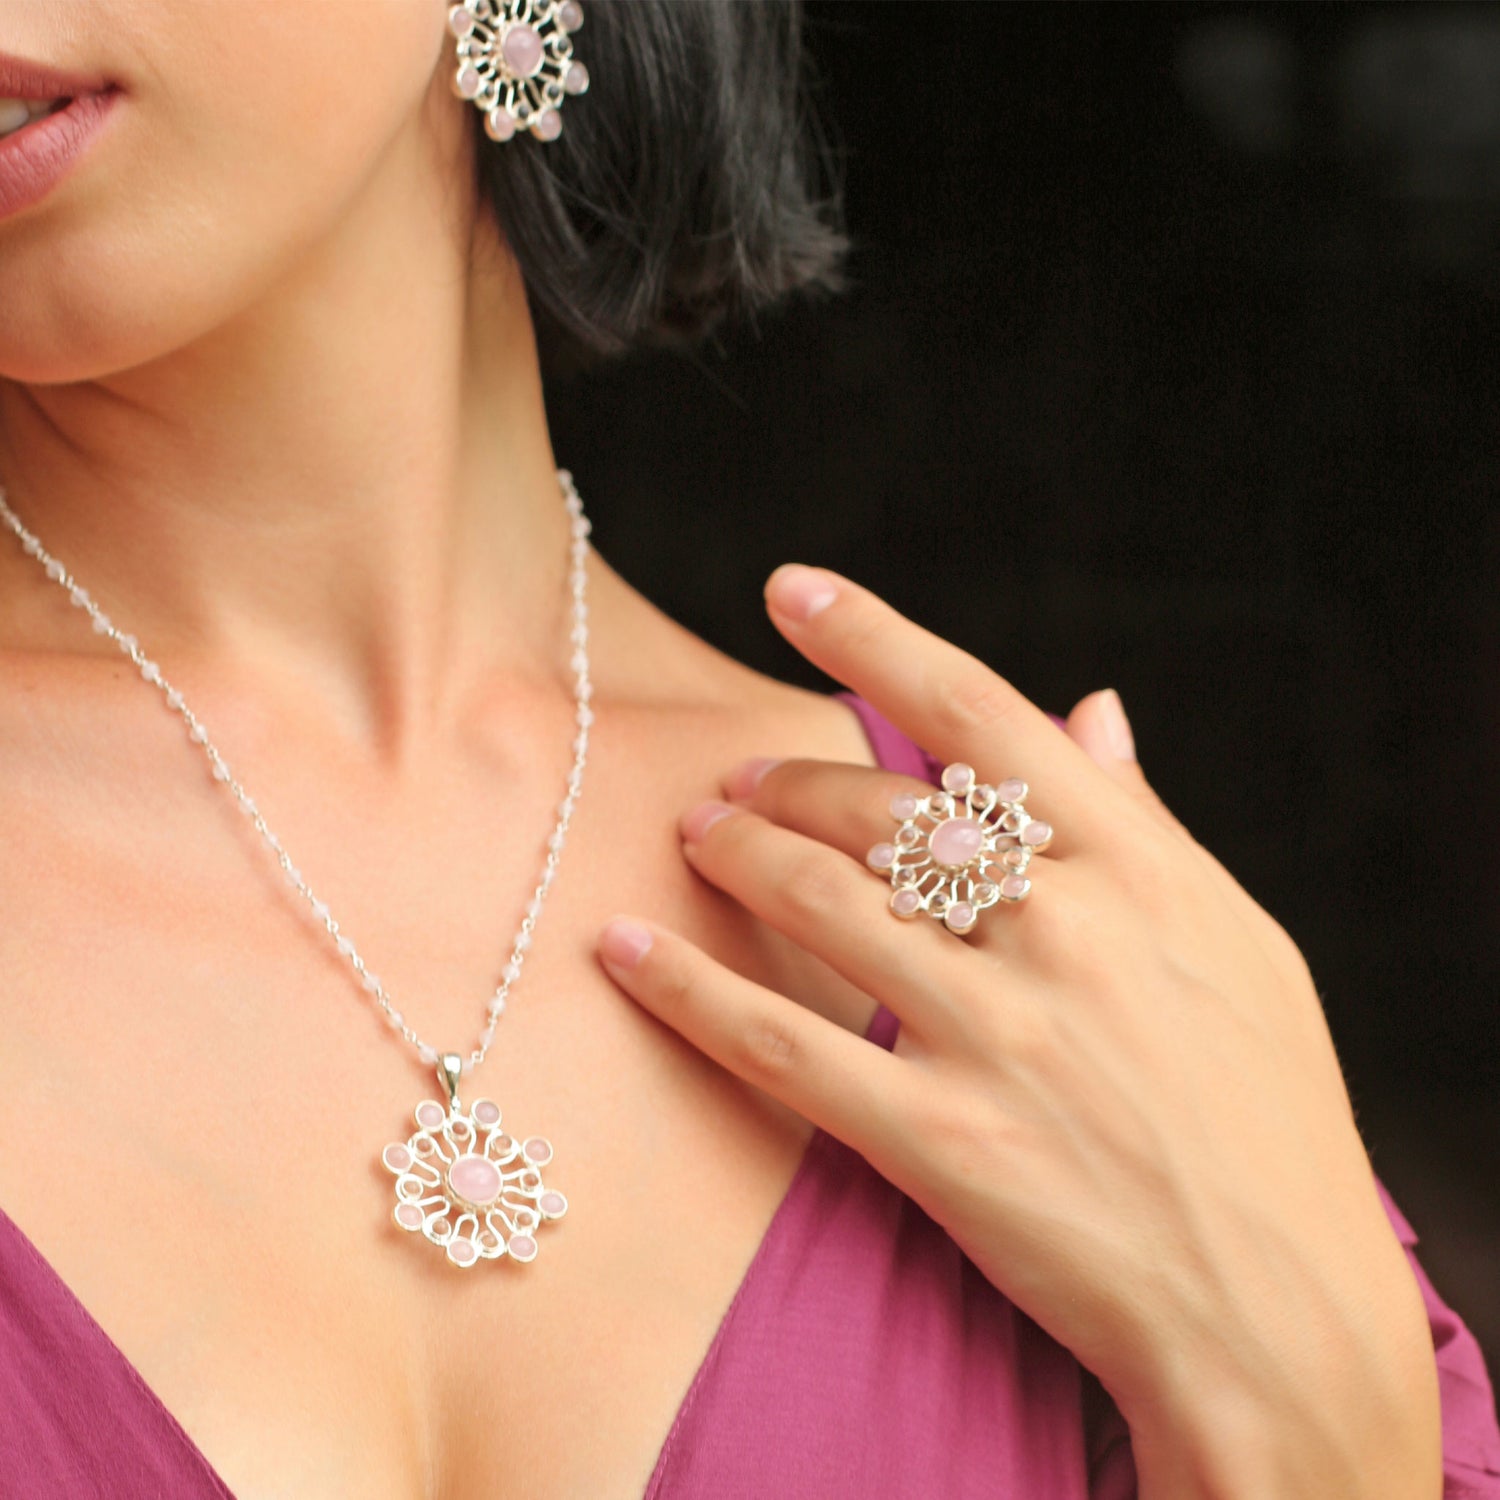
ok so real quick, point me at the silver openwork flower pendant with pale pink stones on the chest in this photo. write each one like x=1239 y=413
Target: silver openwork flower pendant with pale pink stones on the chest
x=469 y=1186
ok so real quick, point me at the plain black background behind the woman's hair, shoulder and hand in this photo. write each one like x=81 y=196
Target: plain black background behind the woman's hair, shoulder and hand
x=1171 y=365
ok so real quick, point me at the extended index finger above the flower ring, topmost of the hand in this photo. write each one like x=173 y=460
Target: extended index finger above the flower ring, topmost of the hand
x=943 y=698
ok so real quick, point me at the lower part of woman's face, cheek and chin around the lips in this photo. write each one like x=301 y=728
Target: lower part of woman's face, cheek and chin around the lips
x=247 y=136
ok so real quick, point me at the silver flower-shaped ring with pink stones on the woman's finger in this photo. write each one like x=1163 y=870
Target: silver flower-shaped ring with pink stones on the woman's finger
x=961 y=850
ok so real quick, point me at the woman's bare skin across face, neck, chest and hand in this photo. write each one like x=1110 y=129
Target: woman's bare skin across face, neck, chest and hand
x=269 y=388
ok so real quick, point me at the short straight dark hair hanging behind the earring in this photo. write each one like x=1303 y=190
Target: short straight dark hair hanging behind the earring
x=692 y=182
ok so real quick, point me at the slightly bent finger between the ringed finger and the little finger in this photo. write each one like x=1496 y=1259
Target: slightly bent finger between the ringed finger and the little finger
x=836 y=911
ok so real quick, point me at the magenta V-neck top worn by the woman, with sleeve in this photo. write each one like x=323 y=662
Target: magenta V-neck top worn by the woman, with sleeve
x=863 y=1358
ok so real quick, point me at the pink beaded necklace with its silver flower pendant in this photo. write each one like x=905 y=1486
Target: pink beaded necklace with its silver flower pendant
x=461 y=1181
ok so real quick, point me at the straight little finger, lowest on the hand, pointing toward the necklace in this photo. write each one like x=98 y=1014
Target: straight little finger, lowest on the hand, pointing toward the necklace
x=841 y=1082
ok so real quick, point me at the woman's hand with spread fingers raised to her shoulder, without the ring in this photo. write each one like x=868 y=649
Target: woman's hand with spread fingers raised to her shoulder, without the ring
x=1120 y=1097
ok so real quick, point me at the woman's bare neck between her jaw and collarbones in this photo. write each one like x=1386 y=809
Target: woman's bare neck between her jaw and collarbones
x=352 y=481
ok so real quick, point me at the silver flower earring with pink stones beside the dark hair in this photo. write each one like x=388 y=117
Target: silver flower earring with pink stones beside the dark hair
x=517 y=64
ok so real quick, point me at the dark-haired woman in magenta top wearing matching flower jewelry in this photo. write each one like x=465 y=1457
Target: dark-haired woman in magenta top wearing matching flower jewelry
x=1064 y=1201
